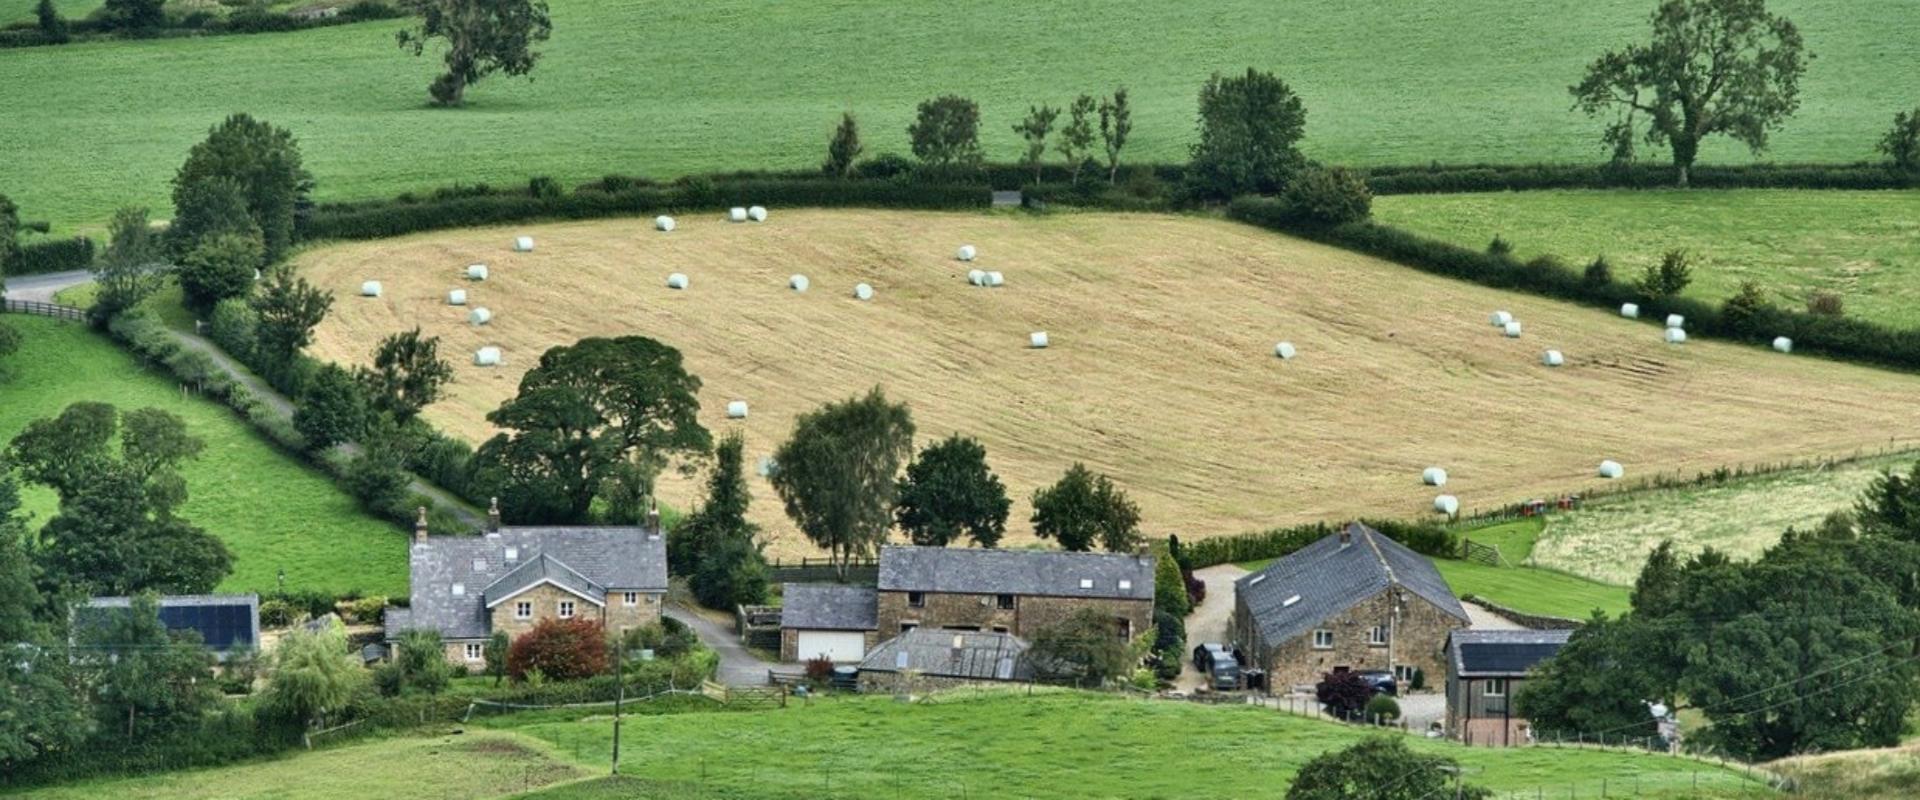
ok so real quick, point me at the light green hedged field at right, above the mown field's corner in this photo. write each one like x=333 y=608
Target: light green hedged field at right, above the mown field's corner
x=1863 y=247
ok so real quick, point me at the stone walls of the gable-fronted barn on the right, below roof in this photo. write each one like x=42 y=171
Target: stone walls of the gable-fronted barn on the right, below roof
x=1416 y=642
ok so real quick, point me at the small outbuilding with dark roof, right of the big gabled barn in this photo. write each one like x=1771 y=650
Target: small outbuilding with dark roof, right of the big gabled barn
x=1483 y=672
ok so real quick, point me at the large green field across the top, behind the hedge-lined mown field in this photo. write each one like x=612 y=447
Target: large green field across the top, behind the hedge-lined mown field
x=667 y=89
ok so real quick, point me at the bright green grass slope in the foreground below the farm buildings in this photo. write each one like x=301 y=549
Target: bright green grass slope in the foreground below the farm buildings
x=1051 y=745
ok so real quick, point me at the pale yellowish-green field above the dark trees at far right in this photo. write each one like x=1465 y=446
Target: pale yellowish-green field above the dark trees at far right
x=1610 y=538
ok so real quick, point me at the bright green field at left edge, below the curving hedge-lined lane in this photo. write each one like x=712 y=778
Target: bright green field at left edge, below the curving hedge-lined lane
x=274 y=511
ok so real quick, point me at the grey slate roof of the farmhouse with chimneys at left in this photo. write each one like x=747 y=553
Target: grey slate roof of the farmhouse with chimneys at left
x=612 y=559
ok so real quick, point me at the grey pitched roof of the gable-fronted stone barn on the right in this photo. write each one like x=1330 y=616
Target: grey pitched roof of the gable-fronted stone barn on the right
x=1326 y=578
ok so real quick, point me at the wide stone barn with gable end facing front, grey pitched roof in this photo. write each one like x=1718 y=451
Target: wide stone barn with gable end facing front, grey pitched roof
x=1351 y=601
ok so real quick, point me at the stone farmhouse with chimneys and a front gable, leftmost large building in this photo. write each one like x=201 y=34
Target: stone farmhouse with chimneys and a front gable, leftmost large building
x=512 y=578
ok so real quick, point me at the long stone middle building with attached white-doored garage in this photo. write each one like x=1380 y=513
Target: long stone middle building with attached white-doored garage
x=967 y=590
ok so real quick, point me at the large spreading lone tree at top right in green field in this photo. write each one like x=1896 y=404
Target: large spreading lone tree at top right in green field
x=1712 y=68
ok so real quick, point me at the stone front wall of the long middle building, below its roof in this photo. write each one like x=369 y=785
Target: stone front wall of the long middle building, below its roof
x=1030 y=613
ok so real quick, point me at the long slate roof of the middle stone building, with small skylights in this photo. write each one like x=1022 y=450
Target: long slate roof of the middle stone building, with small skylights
x=1017 y=573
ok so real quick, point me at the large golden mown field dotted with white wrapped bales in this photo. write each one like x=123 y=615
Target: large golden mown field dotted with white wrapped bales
x=1161 y=369
